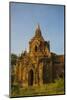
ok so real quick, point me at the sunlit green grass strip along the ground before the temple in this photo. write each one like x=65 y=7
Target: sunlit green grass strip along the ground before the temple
x=46 y=89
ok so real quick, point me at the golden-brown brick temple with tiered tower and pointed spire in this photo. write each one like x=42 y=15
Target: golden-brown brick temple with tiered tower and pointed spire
x=36 y=66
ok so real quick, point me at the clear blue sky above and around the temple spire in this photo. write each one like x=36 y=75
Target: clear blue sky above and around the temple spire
x=24 y=19
